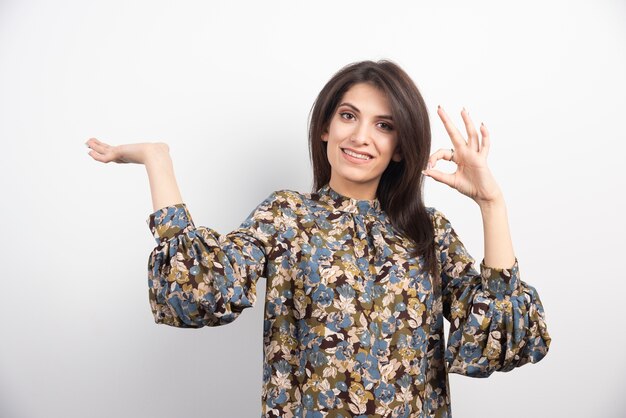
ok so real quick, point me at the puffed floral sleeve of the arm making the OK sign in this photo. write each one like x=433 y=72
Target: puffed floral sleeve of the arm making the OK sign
x=497 y=321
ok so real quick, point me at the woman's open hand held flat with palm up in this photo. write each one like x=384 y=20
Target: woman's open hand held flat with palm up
x=127 y=153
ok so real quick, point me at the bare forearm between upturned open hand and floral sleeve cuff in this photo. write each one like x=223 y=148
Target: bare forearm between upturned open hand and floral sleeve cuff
x=163 y=184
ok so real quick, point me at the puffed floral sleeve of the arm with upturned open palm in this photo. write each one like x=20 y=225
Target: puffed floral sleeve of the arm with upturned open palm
x=198 y=277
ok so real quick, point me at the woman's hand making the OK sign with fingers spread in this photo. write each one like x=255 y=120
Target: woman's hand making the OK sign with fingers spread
x=472 y=177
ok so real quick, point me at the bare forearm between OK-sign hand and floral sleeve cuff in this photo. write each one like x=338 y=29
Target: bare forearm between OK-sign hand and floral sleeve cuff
x=497 y=236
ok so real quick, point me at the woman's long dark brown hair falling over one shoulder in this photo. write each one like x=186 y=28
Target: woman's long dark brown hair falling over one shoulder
x=400 y=189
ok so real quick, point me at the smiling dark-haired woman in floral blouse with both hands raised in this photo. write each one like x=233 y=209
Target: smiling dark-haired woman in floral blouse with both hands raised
x=360 y=273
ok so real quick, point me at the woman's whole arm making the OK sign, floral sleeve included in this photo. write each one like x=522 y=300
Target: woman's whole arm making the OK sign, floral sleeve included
x=496 y=320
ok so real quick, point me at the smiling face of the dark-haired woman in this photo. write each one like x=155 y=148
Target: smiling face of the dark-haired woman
x=361 y=125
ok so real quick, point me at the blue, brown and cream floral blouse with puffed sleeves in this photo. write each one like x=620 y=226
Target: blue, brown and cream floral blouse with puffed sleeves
x=353 y=326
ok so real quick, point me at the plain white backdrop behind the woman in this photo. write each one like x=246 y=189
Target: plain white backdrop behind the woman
x=228 y=85
